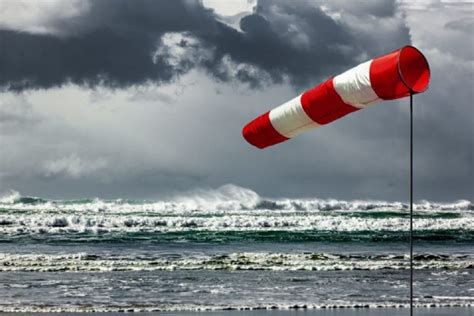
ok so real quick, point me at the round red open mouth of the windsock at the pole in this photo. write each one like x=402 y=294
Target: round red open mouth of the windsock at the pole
x=414 y=69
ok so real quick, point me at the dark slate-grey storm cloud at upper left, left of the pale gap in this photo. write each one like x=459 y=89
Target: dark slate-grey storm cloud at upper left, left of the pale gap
x=112 y=44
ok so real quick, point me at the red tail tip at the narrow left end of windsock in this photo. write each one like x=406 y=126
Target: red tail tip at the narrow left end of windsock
x=261 y=133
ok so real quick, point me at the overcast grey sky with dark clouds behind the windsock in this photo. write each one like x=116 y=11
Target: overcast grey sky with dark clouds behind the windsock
x=143 y=99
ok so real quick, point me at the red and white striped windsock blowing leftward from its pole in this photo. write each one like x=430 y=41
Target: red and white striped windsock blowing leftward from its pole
x=391 y=76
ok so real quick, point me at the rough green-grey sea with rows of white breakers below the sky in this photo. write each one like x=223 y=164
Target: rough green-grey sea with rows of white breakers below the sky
x=231 y=249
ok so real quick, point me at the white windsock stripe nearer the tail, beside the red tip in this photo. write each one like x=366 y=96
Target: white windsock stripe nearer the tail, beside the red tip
x=290 y=119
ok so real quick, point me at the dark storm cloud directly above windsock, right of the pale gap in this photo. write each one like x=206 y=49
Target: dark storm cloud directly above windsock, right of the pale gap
x=284 y=39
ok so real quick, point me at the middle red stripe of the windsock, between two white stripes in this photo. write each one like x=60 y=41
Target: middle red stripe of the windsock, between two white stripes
x=323 y=105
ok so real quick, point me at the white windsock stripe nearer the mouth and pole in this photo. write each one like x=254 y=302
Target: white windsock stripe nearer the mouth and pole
x=354 y=86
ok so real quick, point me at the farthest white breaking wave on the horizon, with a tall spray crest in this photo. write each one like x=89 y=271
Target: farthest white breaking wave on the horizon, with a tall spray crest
x=226 y=198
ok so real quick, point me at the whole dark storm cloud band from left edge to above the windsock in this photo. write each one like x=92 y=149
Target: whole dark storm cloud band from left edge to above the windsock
x=113 y=44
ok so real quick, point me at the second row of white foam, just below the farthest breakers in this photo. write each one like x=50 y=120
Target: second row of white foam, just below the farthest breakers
x=44 y=222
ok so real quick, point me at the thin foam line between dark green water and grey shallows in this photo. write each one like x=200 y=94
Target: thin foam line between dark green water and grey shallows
x=79 y=262
